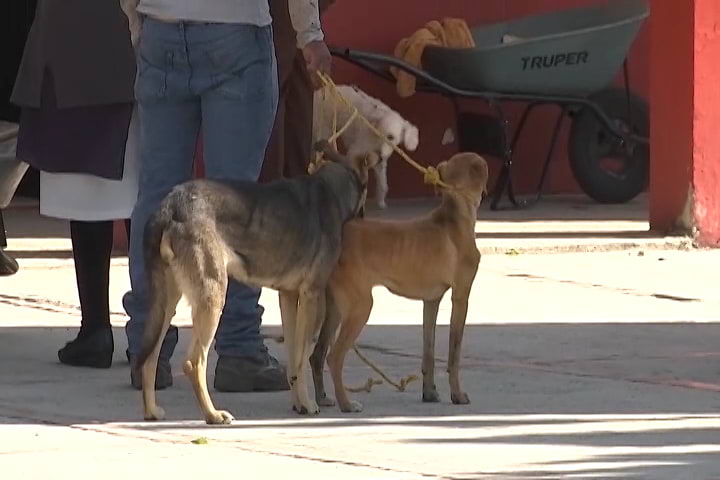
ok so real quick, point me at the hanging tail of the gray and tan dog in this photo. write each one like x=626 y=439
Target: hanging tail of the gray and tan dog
x=161 y=284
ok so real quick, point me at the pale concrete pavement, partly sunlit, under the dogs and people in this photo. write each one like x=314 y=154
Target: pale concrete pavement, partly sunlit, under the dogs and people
x=578 y=365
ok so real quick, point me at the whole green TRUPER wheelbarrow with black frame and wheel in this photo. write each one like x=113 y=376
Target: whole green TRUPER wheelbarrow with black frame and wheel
x=568 y=59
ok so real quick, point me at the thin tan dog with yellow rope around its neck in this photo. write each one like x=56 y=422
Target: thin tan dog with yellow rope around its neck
x=419 y=259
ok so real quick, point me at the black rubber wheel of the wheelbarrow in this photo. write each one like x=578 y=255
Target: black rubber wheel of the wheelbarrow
x=608 y=170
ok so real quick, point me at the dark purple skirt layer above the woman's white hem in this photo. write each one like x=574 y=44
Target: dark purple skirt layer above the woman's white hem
x=89 y=140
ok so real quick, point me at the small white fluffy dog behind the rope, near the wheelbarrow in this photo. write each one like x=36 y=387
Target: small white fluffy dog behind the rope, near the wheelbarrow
x=358 y=139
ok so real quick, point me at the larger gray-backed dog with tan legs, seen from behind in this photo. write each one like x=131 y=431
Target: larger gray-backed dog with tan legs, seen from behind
x=284 y=235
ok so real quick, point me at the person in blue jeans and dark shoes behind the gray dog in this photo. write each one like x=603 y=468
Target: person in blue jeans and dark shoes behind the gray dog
x=209 y=65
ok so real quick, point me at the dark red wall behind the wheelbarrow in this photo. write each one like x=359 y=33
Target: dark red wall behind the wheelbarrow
x=377 y=25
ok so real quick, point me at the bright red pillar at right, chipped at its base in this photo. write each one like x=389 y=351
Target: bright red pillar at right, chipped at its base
x=685 y=118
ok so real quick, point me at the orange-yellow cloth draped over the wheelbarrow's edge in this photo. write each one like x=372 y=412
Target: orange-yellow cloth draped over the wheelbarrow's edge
x=450 y=33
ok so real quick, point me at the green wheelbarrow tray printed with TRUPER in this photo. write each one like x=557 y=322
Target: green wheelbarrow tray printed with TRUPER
x=571 y=52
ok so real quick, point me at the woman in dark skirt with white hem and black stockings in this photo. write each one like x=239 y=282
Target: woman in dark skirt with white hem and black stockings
x=77 y=127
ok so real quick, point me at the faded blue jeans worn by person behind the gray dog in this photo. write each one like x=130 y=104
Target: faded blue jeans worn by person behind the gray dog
x=223 y=77
